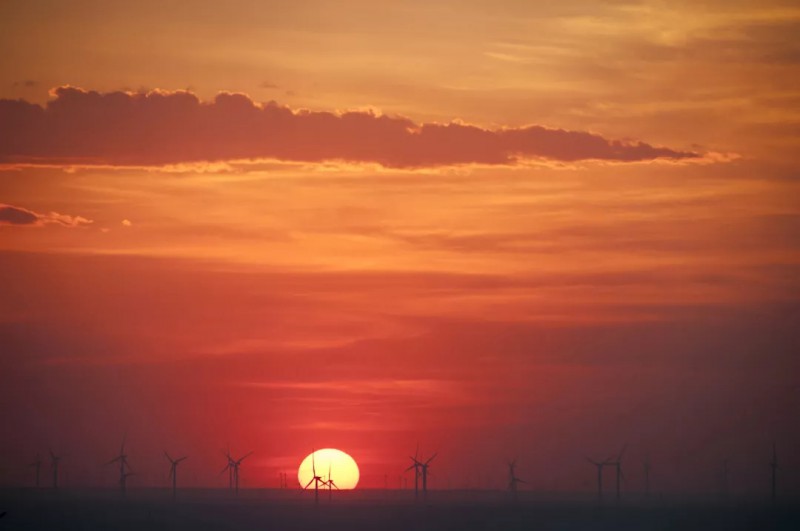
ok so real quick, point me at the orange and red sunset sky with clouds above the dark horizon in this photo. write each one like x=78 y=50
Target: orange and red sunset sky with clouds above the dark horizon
x=494 y=229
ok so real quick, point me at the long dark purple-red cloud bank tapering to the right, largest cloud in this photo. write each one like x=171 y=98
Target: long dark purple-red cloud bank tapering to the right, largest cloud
x=159 y=128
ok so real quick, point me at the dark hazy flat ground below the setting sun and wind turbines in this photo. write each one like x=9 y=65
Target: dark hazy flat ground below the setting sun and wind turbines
x=153 y=509
